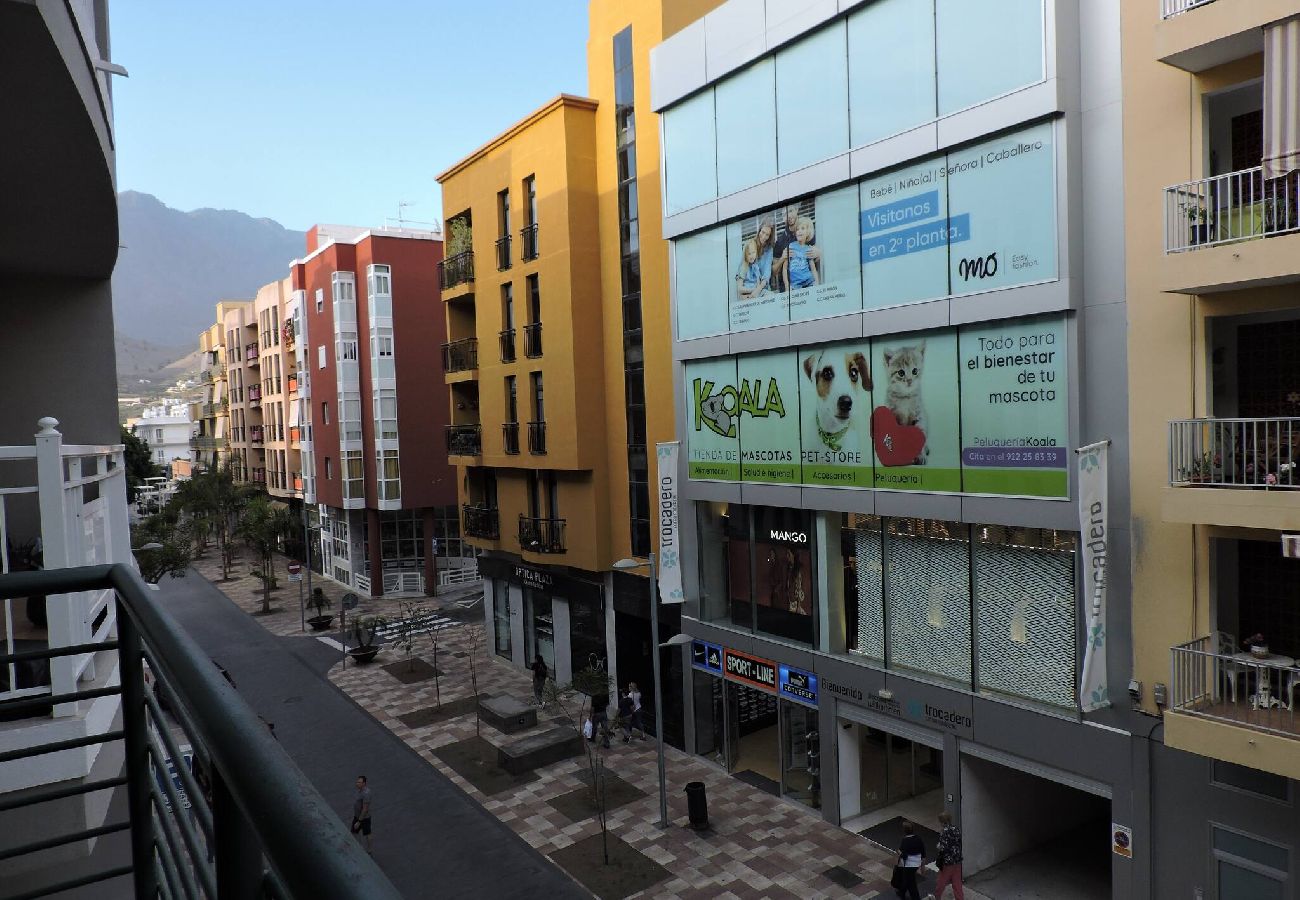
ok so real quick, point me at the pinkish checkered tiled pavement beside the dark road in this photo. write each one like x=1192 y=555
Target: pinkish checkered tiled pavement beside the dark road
x=759 y=846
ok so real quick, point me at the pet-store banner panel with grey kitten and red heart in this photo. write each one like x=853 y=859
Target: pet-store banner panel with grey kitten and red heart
x=915 y=421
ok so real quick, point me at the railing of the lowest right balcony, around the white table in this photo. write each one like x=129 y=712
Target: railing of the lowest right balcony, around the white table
x=1238 y=689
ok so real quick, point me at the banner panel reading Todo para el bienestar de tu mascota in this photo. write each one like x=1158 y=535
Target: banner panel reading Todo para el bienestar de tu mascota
x=1016 y=425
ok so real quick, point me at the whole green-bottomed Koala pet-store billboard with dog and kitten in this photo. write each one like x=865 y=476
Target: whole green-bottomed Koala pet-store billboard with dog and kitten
x=981 y=409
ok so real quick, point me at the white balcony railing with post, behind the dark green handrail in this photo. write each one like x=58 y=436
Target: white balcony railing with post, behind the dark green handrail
x=80 y=496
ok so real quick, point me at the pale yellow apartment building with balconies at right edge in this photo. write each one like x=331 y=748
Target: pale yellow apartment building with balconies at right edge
x=1214 y=261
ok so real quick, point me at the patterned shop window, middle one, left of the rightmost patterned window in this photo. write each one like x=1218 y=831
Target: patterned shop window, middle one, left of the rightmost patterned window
x=928 y=598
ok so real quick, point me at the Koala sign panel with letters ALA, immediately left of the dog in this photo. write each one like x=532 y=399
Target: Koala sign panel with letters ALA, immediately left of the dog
x=770 y=418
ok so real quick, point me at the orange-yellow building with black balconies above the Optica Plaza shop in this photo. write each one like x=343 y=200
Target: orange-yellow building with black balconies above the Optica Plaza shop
x=558 y=357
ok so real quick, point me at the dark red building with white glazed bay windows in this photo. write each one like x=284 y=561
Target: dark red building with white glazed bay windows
x=372 y=408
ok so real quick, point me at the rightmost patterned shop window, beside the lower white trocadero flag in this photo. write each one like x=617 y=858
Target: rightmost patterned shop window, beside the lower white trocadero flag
x=1025 y=603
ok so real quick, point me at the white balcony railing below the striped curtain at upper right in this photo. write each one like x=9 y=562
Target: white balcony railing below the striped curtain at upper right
x=1240 y=206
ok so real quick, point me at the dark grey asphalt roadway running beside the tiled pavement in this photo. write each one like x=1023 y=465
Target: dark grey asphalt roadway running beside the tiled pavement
x=430 y=838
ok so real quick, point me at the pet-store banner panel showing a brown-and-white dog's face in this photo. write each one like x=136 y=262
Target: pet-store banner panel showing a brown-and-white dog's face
x=835 y=414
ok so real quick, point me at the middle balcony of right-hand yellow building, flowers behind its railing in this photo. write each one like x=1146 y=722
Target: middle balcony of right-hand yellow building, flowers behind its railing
x=1234 y=473
